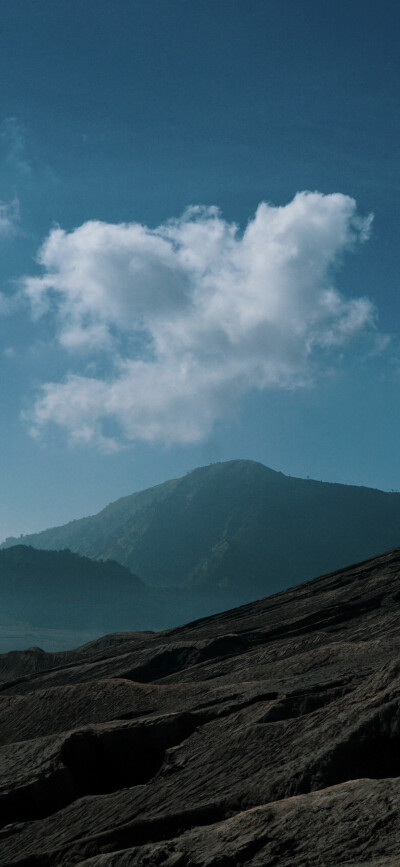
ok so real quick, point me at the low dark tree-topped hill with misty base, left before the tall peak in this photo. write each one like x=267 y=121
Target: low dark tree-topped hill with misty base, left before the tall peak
x=57 y=599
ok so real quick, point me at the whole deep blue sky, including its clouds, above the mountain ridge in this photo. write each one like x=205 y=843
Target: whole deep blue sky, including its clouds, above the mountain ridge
x=199 y=216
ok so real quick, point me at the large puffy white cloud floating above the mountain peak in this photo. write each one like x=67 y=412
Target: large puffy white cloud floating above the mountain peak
x=193 y=314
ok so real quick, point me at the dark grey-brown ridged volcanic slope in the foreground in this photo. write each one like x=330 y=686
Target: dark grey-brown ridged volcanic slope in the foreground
x=267 y=735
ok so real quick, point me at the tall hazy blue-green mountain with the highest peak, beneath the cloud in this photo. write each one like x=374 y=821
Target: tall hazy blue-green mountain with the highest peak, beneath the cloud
x=237 y=528
